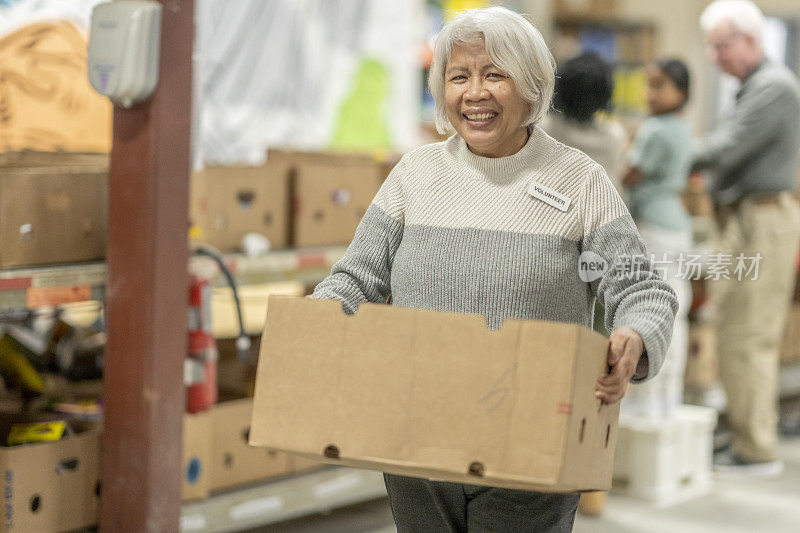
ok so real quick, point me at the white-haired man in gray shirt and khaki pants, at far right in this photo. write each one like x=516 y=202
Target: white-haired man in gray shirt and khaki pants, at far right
x=752 y=158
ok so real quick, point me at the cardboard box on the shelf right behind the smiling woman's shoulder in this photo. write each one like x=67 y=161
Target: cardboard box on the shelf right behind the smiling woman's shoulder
x=331 y=195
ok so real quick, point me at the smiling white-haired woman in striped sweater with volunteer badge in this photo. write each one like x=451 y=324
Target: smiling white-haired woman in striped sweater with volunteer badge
x=493 y=221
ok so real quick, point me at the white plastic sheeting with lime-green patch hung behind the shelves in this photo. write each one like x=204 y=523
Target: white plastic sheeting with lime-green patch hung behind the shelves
x=306 y=74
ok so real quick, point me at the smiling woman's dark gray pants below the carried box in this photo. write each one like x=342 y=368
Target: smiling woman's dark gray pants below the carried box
x=419 y=505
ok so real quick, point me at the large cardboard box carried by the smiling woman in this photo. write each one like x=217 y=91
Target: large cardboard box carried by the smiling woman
x=437 y=395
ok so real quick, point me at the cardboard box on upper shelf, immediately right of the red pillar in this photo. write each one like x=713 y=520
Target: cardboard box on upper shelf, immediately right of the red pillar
x=229 y=202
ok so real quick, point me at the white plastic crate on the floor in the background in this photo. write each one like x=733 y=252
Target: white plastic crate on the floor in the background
x=666 y=461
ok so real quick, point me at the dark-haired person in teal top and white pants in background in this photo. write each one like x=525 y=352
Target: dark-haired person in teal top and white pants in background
x=659 y=165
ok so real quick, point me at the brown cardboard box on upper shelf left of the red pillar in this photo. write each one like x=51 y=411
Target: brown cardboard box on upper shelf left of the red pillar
x=52 y=213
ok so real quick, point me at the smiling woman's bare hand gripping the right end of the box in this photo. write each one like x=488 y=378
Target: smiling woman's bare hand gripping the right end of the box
x=623 y=356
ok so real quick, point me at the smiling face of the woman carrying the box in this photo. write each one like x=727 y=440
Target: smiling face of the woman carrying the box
x=482 y=103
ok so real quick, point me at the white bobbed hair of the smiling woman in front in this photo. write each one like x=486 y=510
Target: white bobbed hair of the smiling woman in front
x=513 y=45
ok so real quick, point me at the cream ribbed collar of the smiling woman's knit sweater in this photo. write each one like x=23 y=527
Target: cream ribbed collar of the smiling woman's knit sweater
x=500 y=169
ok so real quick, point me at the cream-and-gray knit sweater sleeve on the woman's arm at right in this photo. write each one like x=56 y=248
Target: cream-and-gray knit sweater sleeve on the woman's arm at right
x=632 y=293
